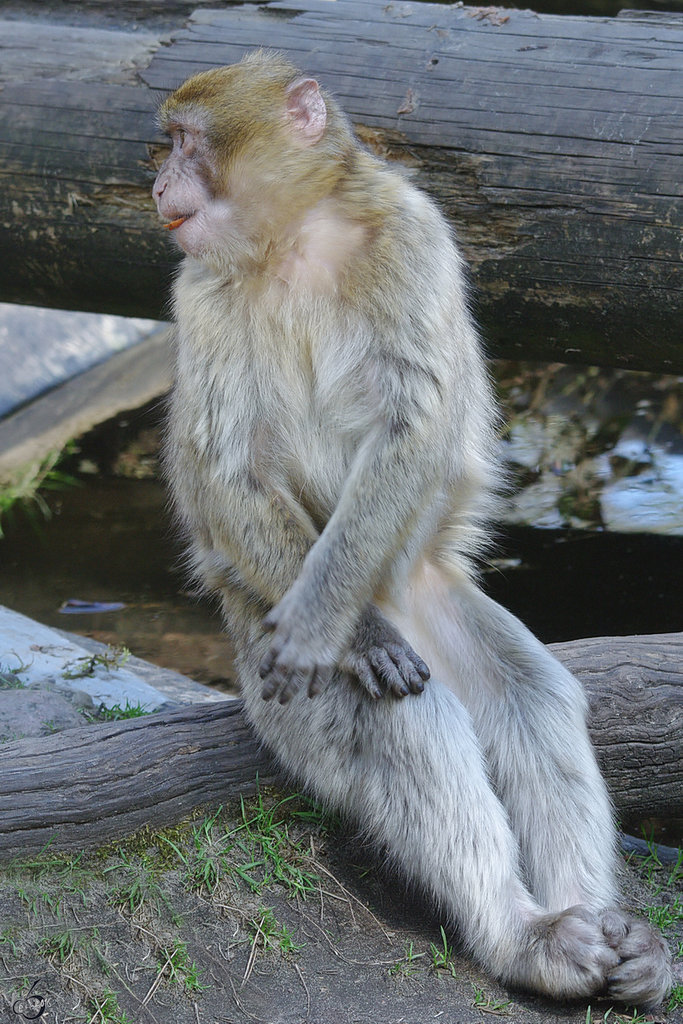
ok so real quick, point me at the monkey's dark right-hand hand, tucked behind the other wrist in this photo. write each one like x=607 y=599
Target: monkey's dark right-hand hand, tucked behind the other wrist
x=382 y=660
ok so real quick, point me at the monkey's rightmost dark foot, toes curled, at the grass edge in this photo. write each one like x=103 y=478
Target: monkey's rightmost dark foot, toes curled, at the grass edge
x=644 y=975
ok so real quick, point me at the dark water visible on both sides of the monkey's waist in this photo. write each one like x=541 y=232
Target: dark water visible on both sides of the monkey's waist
x=111 y=540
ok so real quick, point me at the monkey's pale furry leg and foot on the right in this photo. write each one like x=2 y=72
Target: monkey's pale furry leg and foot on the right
x=529 y=713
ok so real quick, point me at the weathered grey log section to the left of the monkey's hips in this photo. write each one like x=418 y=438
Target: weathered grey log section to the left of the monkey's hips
x=82 y=788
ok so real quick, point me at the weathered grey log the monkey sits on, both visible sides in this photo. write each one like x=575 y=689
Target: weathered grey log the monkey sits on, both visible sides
x=84 y=787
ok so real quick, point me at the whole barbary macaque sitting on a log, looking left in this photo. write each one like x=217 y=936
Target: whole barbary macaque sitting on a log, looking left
x=332 y=454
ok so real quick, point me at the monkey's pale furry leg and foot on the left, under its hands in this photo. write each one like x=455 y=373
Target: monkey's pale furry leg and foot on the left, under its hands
x=413 y=774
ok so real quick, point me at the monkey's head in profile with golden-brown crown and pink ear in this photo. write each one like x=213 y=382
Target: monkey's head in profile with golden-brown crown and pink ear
x=245 y=162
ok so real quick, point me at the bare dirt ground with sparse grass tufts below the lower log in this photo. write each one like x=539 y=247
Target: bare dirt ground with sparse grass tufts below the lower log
x=267 y=913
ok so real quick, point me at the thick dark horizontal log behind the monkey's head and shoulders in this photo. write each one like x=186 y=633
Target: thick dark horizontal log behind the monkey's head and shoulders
x=553 y=144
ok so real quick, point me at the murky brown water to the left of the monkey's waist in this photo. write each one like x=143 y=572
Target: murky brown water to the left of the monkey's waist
x=111 y=540
